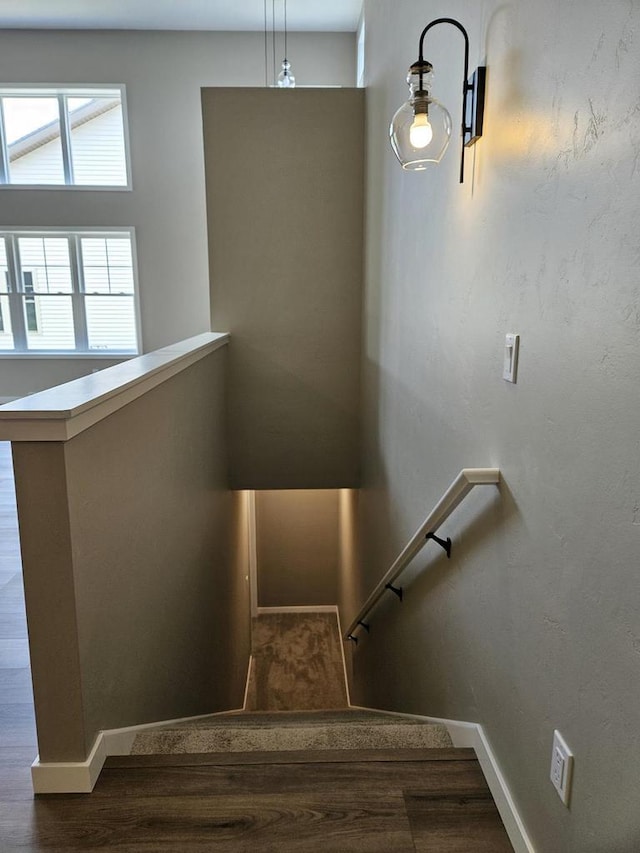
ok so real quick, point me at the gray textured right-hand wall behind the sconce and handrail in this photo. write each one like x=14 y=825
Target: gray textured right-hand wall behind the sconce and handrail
x=535 y=622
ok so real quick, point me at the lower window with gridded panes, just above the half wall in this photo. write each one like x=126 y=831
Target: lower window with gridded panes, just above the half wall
x=67 y=292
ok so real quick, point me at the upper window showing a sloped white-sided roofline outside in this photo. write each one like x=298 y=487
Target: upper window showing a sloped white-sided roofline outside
x=63 y=137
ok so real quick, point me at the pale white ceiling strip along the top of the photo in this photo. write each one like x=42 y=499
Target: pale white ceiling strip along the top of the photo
x=302 y=15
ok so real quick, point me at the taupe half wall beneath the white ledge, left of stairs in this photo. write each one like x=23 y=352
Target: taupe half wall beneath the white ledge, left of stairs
x=138 y=609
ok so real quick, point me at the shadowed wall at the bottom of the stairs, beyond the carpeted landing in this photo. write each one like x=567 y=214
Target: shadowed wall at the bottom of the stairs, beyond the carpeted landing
x=298 y=547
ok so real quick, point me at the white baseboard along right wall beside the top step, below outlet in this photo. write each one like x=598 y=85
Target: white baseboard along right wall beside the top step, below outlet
x=465 y=734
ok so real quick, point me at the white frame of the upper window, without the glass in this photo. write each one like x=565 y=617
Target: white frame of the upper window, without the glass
x=62 y=93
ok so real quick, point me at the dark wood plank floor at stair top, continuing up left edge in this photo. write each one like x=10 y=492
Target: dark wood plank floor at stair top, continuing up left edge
x=401 y=802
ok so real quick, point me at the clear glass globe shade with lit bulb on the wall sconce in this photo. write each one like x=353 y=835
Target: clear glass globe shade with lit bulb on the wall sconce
x=421 y=129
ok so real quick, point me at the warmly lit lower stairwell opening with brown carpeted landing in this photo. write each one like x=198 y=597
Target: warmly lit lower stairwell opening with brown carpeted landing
x=302 y=548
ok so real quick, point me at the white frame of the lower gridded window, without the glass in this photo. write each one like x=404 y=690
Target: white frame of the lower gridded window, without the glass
x=16 y=294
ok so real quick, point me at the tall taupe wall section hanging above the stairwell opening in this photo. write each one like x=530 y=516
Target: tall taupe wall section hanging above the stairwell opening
x=284 y=204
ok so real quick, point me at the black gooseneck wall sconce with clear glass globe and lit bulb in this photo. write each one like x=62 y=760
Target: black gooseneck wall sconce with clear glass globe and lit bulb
x=421 y=129
